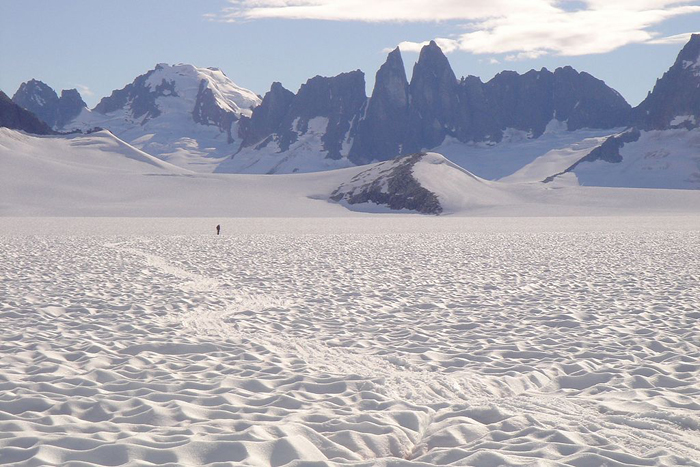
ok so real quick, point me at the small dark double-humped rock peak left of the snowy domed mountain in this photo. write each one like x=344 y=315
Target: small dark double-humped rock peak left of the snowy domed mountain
x=42 y=100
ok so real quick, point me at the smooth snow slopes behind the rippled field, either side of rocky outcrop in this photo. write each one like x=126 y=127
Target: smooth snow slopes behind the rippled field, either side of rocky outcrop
x=99 y=175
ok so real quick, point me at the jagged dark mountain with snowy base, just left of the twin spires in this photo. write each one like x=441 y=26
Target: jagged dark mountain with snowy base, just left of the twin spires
x=304 y=132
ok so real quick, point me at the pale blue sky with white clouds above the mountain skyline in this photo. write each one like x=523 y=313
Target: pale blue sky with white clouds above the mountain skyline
x=97 y=46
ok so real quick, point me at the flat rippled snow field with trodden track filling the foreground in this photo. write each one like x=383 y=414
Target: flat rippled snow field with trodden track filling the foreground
x=393 y=340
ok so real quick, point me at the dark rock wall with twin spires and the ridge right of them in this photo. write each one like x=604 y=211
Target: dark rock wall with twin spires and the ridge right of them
x=438 y=105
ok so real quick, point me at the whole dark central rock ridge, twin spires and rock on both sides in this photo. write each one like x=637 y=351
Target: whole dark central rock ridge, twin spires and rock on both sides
x=403 y=118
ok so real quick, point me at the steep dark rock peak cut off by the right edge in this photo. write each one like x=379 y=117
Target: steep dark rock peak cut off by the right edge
x=677 y=93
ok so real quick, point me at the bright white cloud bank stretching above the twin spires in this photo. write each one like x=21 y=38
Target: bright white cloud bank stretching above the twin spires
x=523 y=29
